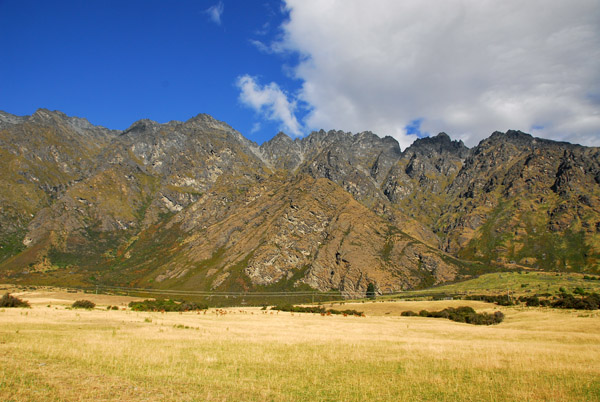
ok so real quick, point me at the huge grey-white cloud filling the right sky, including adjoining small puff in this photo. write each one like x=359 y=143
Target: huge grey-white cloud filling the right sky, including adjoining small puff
x=464 y=67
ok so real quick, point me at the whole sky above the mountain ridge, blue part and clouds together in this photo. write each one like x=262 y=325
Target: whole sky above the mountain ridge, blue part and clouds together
x=400 y=68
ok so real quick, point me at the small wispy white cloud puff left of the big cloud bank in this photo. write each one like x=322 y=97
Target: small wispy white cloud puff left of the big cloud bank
x=270 y=102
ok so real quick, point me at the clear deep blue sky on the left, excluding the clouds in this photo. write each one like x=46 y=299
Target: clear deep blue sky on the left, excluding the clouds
x=114 y=62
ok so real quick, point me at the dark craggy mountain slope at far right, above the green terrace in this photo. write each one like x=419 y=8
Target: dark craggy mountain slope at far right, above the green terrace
x=532 y=201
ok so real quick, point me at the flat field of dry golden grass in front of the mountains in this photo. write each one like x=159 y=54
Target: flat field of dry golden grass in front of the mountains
x=53 y=353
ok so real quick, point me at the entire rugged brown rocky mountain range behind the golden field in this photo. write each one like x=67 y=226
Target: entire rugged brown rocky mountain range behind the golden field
x=195 y=205
